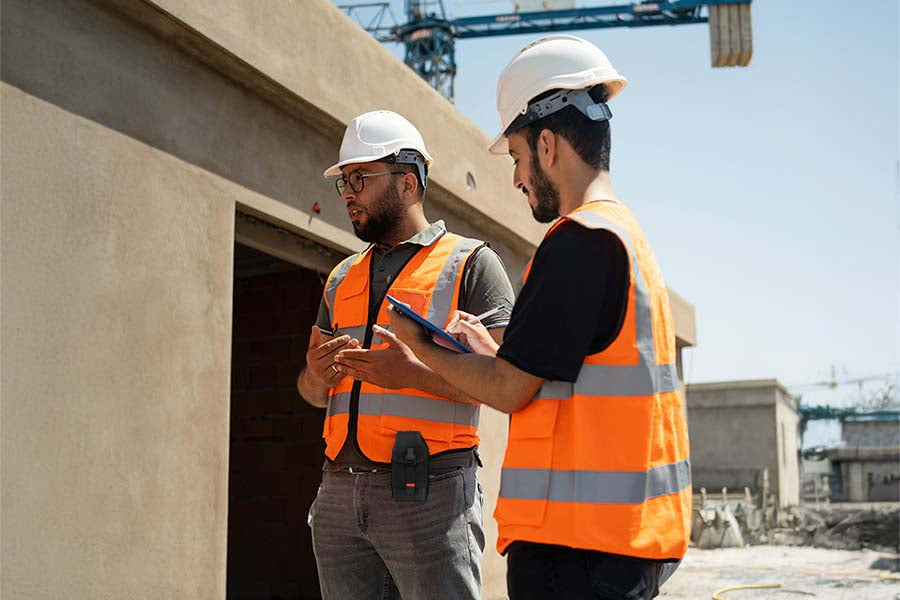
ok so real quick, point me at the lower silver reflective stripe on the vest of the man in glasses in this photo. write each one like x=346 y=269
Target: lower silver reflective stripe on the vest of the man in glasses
x=411 y=407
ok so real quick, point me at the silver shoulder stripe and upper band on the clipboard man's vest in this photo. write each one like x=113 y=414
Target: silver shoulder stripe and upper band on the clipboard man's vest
x=642 y=379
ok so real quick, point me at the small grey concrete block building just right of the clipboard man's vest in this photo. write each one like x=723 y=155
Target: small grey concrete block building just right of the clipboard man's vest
x=740 y=430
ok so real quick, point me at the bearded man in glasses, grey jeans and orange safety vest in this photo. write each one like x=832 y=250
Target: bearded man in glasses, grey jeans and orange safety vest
x=411 y=526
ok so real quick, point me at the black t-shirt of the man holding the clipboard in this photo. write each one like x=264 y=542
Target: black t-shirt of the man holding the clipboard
x=572 y=304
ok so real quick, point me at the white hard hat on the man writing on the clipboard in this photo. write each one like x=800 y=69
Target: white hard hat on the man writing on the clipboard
x=562 y=62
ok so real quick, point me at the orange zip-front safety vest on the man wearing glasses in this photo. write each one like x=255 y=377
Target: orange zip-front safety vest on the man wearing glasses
x=430 y=284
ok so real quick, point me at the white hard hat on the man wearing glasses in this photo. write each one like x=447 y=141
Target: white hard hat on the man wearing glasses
x=378 y=135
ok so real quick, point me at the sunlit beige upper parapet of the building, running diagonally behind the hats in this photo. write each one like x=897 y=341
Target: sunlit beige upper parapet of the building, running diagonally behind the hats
x=311 y=51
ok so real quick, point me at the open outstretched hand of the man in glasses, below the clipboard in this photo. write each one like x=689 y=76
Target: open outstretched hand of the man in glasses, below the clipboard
x=393 y=367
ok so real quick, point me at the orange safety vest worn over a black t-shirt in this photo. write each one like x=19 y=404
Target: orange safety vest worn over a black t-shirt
x=602 y=463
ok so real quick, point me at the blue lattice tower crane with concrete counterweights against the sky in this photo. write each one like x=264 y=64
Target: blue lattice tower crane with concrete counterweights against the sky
x=430 y=37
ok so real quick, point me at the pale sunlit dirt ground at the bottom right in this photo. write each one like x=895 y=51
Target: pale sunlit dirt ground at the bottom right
x=803 y=572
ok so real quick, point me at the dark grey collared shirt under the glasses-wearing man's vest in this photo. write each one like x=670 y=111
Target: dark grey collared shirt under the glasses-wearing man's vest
x=484 y=286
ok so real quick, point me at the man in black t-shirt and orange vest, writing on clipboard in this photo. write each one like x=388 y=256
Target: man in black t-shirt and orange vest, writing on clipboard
x=595 y=498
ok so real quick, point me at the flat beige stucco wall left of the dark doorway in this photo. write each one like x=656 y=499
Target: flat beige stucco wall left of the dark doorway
x=116 y=317
